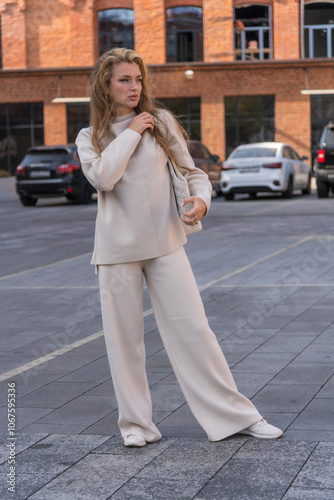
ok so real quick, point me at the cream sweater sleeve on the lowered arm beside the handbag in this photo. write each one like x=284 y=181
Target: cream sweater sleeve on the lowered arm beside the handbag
x=198 y=181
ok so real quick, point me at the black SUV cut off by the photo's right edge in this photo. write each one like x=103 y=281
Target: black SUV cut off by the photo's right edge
x=324 y=163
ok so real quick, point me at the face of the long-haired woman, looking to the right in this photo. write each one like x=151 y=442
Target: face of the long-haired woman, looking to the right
x=125 y=87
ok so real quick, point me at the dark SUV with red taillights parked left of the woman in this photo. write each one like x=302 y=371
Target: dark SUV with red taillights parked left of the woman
x=52 y=171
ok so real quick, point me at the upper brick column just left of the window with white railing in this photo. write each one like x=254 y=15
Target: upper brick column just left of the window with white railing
x=218 y=30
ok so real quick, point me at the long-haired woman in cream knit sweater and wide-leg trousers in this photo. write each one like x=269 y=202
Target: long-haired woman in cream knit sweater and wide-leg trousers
x=139 y=233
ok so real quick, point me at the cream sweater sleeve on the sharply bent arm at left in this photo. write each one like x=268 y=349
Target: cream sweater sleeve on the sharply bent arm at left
x=105 y=170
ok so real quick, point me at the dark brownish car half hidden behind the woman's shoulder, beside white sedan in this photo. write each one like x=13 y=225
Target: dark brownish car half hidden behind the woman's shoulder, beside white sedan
x=208 y=162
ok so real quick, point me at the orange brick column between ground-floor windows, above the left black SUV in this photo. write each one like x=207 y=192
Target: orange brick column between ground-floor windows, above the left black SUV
x=55 y=124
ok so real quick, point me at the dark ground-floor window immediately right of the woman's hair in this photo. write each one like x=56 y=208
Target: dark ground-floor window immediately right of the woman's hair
x=188 y=110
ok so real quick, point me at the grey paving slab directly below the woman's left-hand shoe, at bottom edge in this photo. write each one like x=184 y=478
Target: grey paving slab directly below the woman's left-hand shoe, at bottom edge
x=104 y=473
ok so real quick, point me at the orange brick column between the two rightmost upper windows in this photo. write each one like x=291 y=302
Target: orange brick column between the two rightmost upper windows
x=286 y=29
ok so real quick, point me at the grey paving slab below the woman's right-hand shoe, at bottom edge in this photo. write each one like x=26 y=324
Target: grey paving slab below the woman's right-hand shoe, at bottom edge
x=259 y=470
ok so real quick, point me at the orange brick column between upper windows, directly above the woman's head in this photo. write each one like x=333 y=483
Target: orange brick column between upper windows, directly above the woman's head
x=150 y=37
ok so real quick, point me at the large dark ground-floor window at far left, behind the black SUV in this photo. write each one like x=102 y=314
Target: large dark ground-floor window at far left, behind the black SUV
x=21 y=126
